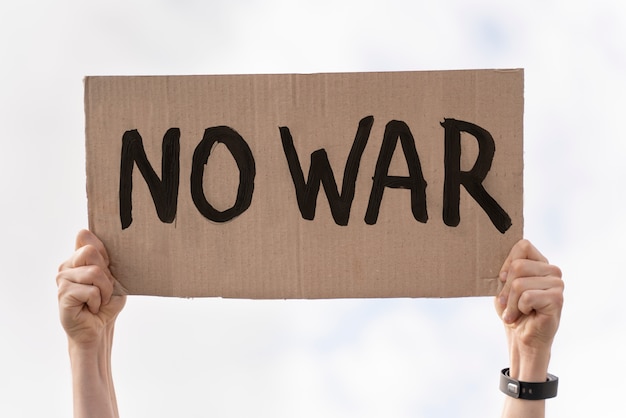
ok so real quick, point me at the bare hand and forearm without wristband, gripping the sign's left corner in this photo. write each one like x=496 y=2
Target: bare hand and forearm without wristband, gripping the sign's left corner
x=88 y=308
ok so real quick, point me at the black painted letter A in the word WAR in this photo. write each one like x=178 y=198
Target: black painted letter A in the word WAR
x=415 y=181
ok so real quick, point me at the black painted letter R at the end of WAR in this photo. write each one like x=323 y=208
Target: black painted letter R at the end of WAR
x=471 y=180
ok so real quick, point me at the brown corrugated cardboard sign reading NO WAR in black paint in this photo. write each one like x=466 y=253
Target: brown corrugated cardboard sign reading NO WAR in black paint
x=399 y=184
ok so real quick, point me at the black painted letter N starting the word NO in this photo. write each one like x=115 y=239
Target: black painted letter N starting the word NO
x=164 y=191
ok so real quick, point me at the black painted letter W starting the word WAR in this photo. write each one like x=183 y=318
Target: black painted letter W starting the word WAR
x=320 y=171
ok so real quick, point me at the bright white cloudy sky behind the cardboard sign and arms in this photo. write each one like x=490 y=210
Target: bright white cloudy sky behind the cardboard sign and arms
x=354 y=358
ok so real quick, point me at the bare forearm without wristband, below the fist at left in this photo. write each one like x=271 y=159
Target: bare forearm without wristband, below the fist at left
x=92 y=381
